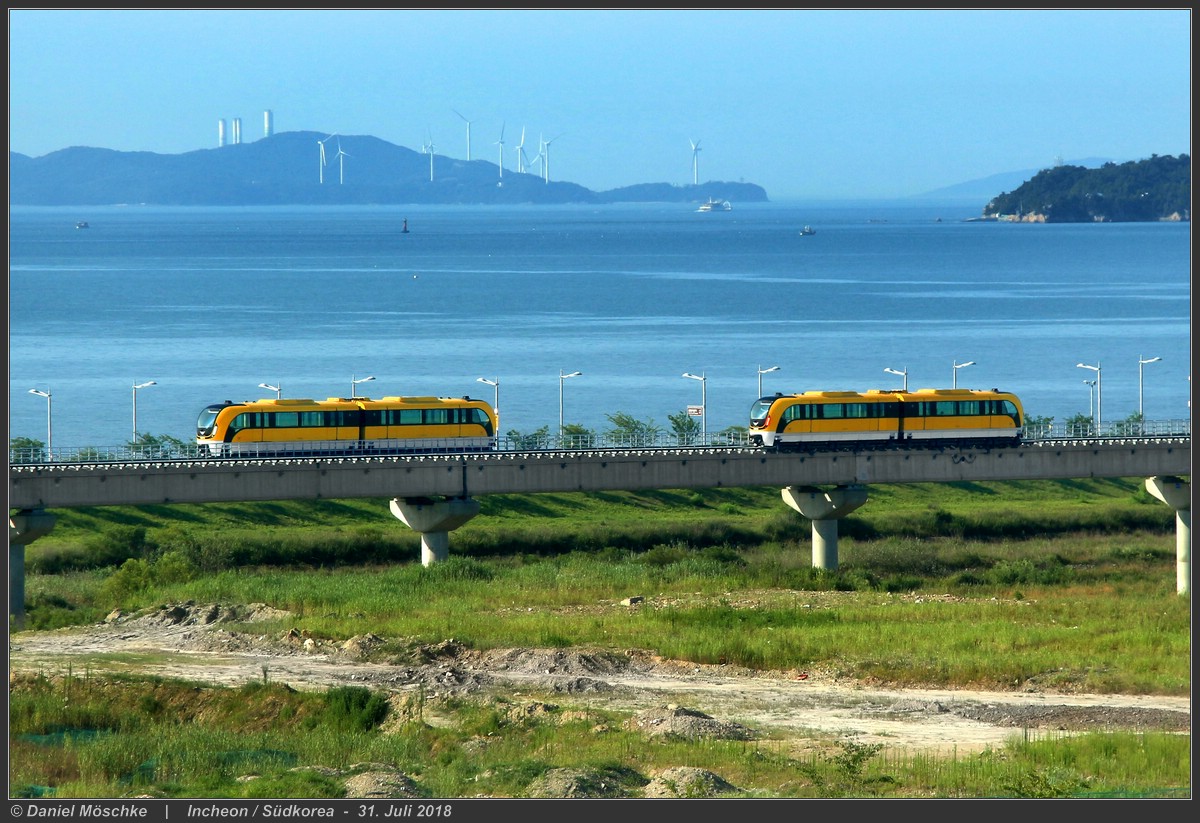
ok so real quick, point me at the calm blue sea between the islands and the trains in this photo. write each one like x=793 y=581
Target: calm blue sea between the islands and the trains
x=211 y=303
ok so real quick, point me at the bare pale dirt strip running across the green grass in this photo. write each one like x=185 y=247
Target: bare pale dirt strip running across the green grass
x=211 y=644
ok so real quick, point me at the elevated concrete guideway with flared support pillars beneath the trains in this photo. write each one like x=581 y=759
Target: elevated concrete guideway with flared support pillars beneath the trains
x=435 y=494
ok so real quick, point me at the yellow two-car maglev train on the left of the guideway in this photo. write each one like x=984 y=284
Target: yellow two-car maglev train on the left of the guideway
x=346 y=425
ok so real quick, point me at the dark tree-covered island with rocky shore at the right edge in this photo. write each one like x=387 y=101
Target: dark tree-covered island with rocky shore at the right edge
x=1159 y=189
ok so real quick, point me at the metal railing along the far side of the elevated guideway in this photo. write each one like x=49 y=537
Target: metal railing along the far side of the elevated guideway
x=123 y=454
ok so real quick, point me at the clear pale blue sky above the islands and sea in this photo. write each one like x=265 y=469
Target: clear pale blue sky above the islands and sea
x=807 y=104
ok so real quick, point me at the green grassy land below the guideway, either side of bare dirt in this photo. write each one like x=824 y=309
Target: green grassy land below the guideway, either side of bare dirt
x=1058 y=585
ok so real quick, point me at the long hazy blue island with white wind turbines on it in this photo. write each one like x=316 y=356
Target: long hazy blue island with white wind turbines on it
x=310 y=169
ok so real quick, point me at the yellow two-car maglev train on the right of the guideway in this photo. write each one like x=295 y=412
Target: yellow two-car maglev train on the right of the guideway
x=851 y=419
